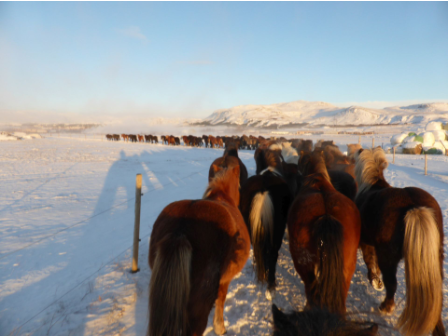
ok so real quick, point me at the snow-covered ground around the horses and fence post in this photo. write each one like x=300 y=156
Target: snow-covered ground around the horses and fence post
x=66 y=228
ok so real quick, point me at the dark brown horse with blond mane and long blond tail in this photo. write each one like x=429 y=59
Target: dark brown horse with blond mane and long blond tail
x=402 y=223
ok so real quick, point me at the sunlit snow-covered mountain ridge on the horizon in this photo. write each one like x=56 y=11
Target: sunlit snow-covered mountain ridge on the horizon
x=321 y=113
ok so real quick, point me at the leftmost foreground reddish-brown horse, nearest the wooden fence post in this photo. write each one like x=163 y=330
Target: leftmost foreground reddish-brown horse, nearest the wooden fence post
x=196 y=248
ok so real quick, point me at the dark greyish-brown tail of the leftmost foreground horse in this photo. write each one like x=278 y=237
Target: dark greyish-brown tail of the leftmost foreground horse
x=169 y=288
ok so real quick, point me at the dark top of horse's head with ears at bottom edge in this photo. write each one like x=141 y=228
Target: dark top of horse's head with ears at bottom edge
x=318 y=322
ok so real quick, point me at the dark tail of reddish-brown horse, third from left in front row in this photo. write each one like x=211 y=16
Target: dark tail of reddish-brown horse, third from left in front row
x=328 y=287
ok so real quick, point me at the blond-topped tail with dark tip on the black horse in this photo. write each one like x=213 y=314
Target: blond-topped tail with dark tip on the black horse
x=262 y=228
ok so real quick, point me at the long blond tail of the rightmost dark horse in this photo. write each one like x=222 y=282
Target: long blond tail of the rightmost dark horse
x=421 y=251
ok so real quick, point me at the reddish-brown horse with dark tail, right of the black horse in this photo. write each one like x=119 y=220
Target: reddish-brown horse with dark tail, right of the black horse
x=324 y=229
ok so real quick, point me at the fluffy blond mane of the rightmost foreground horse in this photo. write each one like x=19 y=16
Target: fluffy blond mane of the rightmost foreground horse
x=369 y=167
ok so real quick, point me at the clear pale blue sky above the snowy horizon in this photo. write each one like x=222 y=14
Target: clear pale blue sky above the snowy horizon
x=189 y=59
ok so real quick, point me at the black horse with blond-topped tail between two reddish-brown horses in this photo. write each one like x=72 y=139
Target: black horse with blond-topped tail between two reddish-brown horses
x=264 y=204
